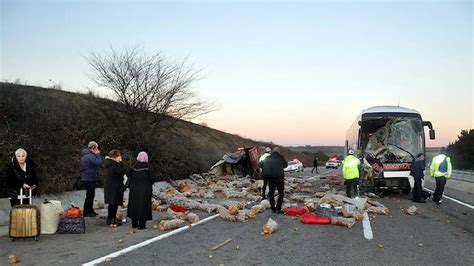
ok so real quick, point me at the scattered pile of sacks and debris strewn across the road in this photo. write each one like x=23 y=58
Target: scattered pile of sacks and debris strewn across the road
x=232 y=196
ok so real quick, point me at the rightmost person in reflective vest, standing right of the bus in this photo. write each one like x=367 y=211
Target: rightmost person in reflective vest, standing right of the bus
x=440 y=170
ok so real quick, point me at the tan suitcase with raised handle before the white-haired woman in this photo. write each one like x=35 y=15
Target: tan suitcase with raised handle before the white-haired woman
x=24 y=220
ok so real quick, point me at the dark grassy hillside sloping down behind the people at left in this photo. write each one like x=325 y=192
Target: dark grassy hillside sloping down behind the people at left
x=54 y=126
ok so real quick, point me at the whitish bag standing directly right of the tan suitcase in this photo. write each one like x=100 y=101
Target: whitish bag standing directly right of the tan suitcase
x=50 y=212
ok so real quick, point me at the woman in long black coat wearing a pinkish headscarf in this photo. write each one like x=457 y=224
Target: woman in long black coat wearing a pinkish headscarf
x=141 y=185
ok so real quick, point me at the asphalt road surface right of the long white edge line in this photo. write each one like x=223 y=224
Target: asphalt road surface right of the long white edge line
x=439 y=235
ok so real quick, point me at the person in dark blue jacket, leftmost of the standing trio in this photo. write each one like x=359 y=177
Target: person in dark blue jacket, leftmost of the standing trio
x=91 y=160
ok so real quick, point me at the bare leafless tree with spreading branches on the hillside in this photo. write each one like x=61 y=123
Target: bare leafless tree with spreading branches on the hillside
x=154 y=92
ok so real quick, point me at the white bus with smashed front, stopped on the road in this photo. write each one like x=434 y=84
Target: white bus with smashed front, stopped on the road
x=387 y=139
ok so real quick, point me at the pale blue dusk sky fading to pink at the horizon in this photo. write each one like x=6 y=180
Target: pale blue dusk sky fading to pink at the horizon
x=292 y=73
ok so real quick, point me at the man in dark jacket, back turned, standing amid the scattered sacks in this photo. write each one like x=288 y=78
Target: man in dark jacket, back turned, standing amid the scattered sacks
x=272 y=169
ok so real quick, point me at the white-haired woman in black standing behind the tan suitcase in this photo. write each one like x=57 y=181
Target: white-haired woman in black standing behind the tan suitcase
x=20 y=173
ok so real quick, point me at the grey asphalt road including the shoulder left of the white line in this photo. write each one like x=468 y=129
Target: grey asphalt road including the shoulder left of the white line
x=438 y=235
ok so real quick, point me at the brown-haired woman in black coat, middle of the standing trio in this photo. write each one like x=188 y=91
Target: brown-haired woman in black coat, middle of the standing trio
x=114 y=187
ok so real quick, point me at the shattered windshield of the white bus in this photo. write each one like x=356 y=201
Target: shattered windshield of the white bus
x=392 y=140
